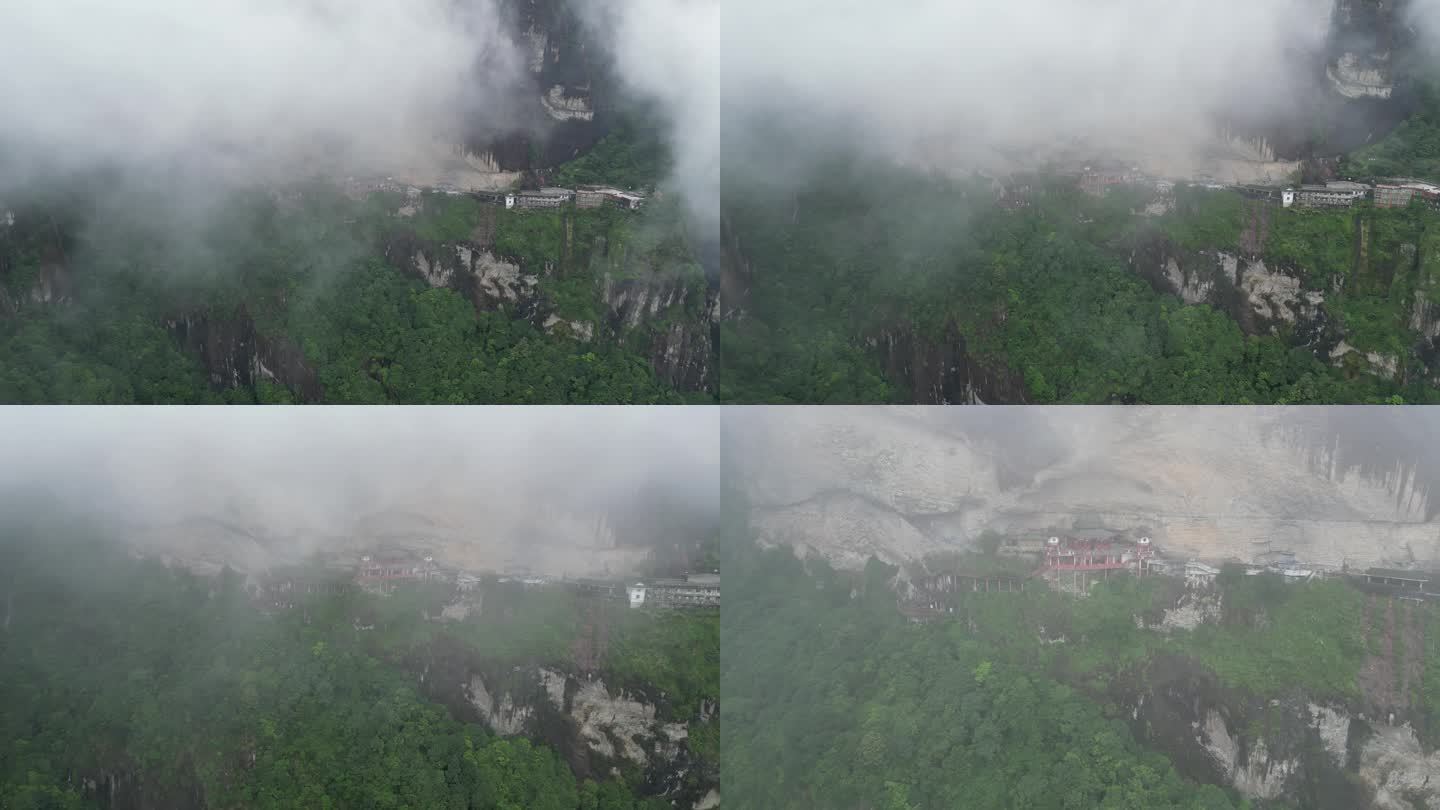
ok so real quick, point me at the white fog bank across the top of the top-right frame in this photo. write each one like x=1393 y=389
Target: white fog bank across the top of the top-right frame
x=1002 y=84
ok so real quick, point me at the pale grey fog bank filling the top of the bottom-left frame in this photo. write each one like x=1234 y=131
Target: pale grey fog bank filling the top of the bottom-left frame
x=554 y=491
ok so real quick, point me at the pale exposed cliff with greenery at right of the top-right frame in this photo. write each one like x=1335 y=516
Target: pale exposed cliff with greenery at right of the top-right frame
x=1362 y=299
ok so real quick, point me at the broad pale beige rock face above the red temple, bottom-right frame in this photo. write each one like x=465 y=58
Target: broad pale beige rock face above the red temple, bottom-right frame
x=1205 y=484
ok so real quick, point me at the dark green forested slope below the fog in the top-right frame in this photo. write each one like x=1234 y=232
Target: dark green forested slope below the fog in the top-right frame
x=1043 y=293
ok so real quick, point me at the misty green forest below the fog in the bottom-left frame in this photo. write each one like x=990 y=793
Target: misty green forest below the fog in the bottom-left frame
x=178 y=688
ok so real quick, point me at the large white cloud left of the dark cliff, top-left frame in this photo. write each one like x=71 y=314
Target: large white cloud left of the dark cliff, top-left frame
x=246 y=87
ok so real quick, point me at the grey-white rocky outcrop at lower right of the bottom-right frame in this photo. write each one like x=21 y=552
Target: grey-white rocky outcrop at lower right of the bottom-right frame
x=1363 y=753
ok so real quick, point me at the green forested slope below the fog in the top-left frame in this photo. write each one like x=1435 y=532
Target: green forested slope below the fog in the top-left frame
x=305 y=282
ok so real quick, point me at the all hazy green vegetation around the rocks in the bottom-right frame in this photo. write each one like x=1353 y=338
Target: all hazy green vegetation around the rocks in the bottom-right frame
x=833 y=700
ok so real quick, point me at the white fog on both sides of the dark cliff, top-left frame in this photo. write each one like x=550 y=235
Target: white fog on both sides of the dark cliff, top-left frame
x=244 y=92
